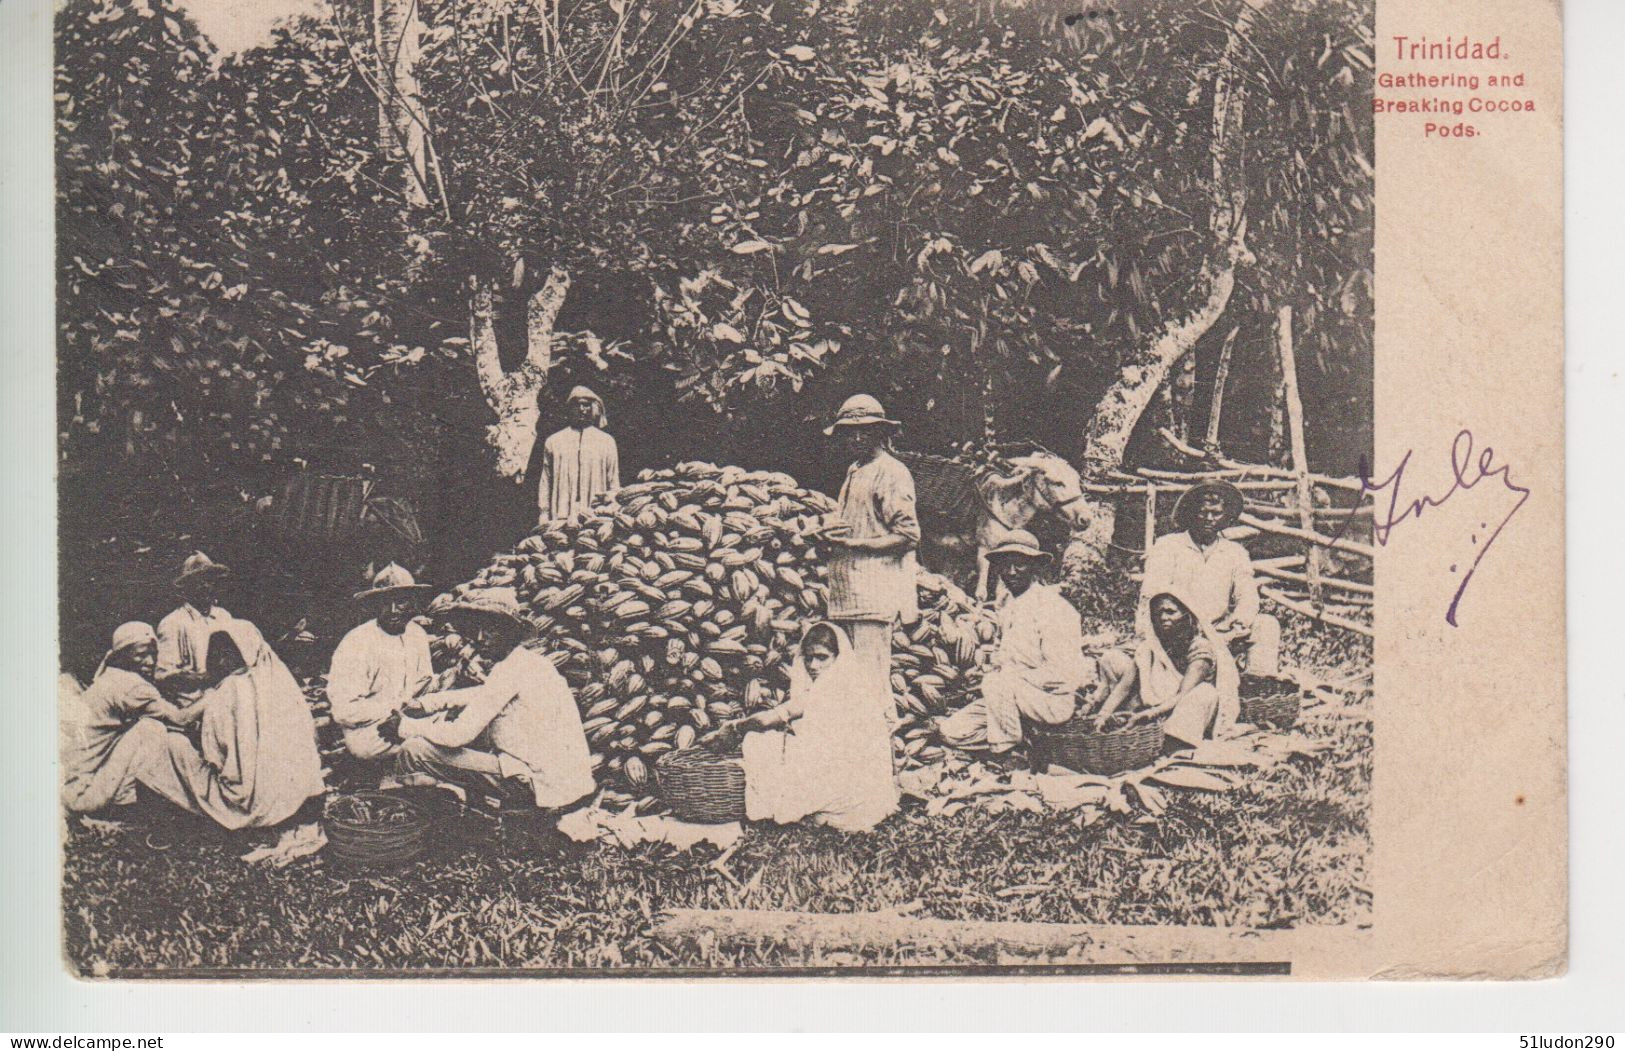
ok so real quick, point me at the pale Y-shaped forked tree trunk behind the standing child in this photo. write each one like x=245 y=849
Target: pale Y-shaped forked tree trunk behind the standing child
x=513 y=396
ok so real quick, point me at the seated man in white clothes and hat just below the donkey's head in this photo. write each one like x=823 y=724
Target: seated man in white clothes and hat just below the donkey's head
x=1039 y=665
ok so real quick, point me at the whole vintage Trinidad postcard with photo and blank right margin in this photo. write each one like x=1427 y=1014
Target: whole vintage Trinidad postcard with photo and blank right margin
x=812 y=488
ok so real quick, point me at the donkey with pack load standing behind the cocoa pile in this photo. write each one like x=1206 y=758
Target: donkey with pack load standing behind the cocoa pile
x=966 y=509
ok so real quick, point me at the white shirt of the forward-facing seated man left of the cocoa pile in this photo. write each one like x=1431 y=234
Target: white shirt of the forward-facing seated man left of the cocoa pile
x=371 y=677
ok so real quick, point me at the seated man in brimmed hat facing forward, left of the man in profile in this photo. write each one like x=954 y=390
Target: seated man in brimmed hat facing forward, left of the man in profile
x=379 y=665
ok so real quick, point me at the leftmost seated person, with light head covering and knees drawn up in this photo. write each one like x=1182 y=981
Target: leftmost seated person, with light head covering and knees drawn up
x=111 y=735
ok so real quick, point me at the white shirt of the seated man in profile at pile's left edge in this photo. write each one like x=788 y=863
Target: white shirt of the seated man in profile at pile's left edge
x=529 y=716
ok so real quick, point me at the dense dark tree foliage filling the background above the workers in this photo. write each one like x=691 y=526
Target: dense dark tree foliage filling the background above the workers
x=971 y=210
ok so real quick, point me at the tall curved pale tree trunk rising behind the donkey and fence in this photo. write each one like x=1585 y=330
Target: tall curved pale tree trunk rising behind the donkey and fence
x=1145 y=374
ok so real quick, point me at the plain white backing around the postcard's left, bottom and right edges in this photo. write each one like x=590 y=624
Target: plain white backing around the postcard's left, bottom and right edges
x=38 y=995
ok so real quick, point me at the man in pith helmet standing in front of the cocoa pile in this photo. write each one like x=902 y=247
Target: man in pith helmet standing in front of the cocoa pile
x=872 y=543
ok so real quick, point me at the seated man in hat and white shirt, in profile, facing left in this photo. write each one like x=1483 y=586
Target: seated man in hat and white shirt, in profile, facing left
x=519 y=733
